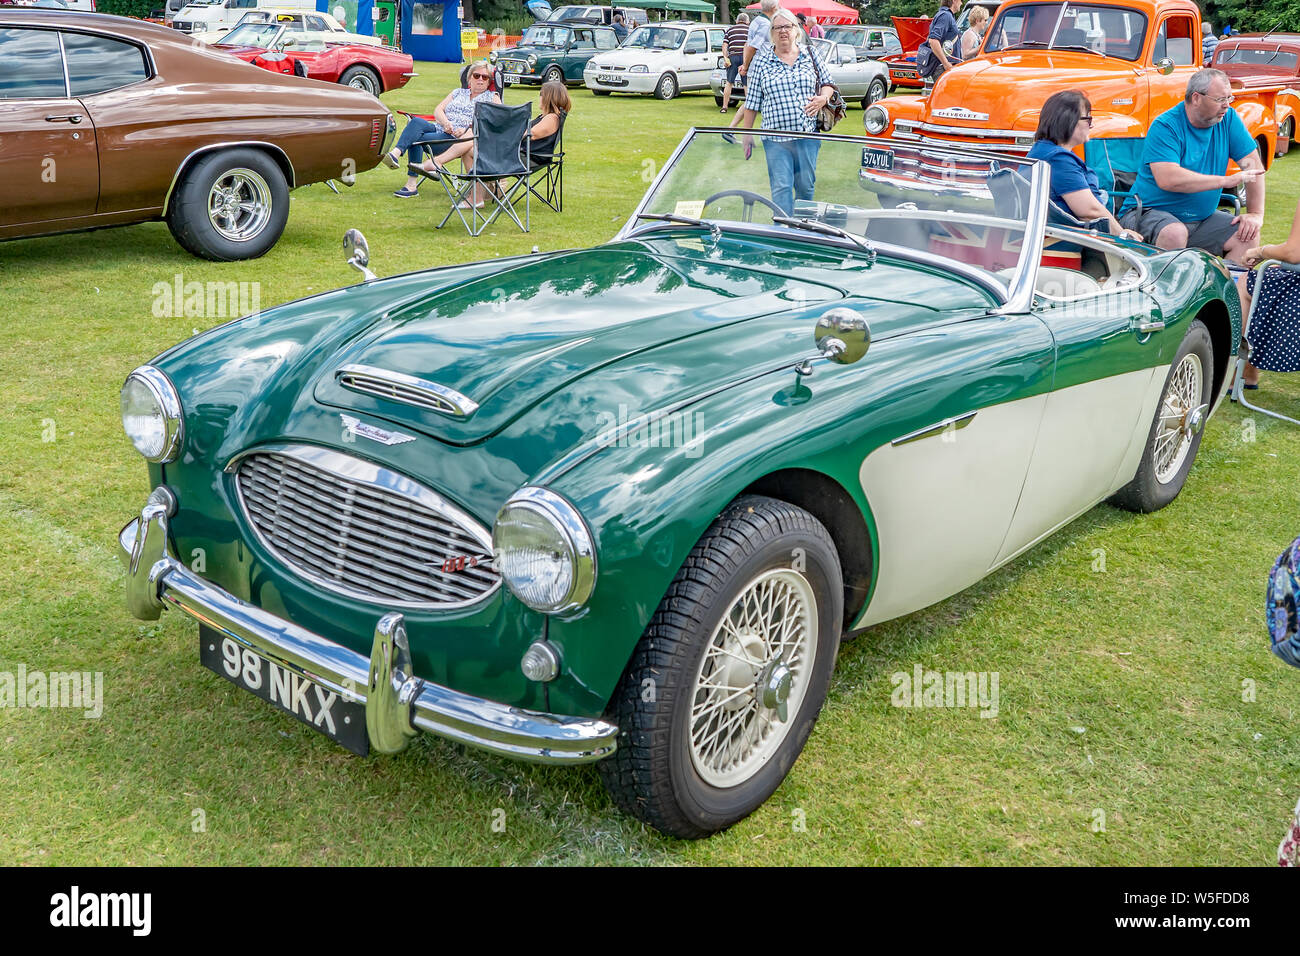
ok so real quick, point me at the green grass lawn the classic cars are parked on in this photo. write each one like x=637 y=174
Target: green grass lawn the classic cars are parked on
x=1142 y=719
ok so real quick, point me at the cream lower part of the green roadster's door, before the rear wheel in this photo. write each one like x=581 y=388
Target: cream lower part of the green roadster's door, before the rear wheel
x=1086 y=435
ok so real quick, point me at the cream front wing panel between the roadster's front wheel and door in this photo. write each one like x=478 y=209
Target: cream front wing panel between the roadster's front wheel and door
x=943 y=505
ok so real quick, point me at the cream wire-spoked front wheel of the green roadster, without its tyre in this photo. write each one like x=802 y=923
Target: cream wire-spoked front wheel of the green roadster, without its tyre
x=752 y=677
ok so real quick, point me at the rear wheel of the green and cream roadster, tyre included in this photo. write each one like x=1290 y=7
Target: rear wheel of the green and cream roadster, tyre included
x=1178 y=426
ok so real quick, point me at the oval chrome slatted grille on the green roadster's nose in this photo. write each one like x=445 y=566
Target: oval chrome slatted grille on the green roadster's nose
x=365 y=531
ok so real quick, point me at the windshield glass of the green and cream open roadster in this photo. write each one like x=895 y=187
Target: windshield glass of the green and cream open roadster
x=961 y=210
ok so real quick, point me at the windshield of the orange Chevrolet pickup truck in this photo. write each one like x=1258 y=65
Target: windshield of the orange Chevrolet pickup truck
x=1107 y=31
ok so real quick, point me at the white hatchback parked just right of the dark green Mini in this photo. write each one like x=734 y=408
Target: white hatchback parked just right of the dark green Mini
x=664 y=59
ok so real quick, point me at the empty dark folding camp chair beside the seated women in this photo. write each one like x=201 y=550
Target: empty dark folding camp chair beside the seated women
x=501 y=168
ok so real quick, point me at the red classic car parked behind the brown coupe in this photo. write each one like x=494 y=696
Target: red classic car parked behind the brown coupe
x=374 y=70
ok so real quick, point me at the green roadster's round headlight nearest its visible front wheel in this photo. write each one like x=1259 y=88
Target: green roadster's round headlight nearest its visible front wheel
x=544 y=551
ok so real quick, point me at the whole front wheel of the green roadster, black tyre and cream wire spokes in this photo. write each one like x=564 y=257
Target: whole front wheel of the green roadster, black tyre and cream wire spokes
x=729 y=680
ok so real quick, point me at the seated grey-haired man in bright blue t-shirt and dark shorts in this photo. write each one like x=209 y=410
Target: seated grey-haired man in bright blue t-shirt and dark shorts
x=1182 y=175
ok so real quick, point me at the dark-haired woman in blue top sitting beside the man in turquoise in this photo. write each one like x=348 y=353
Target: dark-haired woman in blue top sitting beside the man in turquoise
x=1065 y=124
